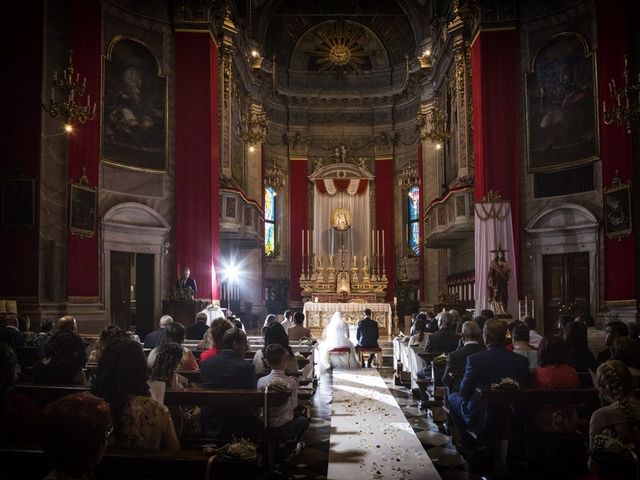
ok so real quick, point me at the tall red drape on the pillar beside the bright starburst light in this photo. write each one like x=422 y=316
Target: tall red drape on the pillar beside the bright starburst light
x=197 y=225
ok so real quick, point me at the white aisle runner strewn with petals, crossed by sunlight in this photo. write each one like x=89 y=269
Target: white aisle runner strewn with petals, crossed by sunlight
x=370 y=436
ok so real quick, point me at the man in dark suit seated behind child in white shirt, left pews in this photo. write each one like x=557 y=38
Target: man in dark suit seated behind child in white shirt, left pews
x=229 y=369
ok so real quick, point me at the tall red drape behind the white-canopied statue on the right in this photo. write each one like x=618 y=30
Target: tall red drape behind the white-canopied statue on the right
x=496 y=121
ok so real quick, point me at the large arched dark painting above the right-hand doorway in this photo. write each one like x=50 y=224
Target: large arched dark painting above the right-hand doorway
x=561 y=107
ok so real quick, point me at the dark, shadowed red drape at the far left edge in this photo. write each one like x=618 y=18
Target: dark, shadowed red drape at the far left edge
x=21 y=121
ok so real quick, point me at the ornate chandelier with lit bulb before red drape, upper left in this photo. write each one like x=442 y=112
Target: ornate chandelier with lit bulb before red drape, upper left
x=70 y=87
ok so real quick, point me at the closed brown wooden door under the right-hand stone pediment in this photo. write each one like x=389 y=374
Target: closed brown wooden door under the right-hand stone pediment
x=566 y=287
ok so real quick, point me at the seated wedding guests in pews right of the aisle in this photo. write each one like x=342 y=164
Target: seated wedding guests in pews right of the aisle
x=513 y=401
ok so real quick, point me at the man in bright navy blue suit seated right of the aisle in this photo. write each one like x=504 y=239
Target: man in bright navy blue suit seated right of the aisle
x=467 y=408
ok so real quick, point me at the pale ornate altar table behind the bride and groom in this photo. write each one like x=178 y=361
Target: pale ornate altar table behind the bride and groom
x=317 y=315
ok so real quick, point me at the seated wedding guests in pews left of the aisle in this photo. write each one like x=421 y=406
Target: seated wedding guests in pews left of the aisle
x=208 y=405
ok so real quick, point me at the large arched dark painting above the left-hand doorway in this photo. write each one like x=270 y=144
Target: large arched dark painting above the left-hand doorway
x=134 y=112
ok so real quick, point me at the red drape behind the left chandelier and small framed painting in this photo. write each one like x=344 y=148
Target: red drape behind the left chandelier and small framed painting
x=84 y=142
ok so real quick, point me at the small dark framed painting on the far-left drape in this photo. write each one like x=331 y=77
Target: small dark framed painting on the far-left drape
x=18 y=202
